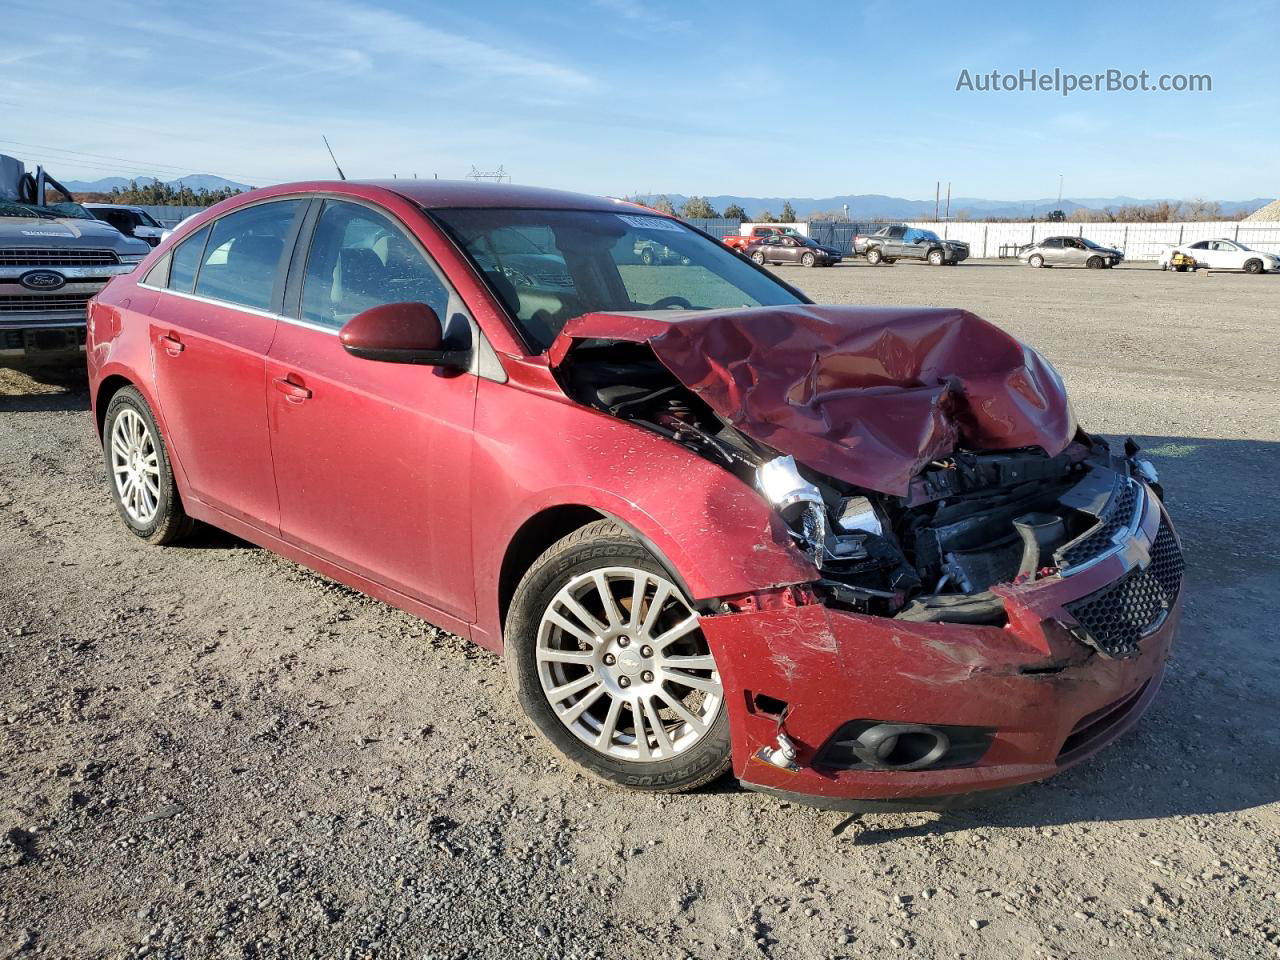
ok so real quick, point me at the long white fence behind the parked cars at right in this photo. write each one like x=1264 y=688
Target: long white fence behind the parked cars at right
x=1140 y=241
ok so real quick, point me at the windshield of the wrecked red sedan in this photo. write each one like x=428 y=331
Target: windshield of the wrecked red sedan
x=548 y=267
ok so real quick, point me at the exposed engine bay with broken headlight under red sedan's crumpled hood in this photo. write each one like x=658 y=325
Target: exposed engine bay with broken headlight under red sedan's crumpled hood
x=970 y=520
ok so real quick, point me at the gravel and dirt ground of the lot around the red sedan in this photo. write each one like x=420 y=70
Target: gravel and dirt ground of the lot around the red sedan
x=212 y=752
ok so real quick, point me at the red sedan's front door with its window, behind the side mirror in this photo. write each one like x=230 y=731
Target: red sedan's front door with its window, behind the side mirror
x=373 y=460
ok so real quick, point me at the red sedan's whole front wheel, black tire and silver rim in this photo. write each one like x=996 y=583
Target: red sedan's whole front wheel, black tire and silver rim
x=607 y=660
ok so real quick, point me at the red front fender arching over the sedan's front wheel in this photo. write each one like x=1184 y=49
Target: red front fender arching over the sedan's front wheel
x=537 y=452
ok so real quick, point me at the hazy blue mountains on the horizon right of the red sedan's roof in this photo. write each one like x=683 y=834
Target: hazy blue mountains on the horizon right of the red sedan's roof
x=875 y=207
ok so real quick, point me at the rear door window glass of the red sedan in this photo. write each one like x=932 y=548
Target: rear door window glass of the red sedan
x=243 y=259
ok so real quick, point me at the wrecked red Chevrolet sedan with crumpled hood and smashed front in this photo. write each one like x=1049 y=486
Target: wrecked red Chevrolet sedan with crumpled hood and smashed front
x=861 y=556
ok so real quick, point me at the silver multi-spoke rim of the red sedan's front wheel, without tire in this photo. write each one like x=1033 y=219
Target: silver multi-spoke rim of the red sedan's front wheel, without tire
x=625 y=668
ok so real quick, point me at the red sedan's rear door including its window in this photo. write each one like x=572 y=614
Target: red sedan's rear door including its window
x=211 y=331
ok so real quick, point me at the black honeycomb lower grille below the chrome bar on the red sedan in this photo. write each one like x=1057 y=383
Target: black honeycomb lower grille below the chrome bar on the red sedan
x=1113 y=620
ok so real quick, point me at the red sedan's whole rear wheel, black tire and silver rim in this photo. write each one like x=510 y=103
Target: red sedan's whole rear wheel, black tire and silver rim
x=139 y=472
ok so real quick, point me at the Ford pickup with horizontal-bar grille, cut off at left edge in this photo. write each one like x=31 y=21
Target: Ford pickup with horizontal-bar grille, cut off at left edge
x=54 y=257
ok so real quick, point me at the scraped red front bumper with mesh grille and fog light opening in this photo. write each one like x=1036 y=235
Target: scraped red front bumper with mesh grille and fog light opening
x=860 y=712
